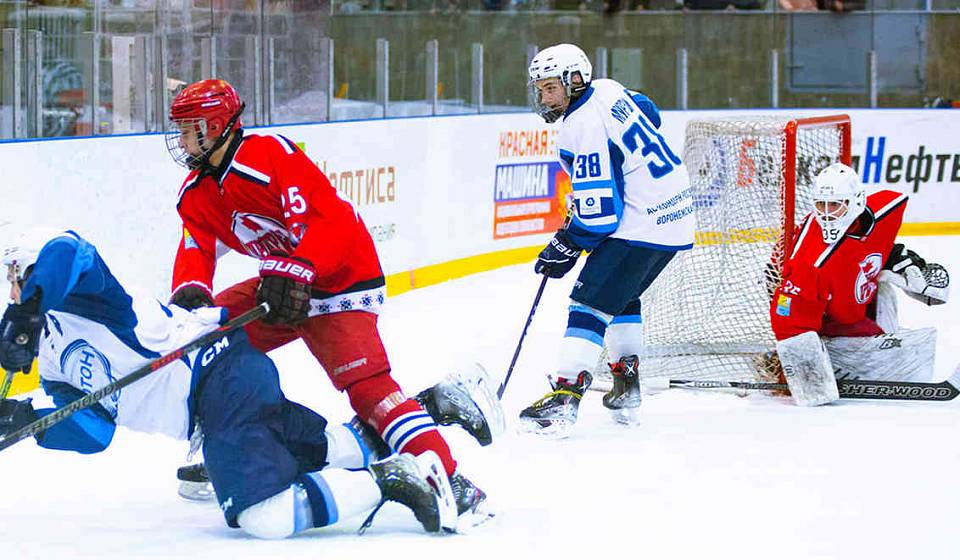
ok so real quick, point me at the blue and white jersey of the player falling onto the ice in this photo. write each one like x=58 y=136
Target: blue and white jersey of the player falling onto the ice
x=95 y=334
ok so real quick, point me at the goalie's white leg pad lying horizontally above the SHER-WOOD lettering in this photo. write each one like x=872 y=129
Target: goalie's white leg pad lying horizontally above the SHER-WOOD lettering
x=905 y=355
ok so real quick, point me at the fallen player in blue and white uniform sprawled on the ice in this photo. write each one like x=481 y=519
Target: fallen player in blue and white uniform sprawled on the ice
x=264 y=453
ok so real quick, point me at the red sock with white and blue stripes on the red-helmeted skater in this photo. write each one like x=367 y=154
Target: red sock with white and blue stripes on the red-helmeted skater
x=401 y=422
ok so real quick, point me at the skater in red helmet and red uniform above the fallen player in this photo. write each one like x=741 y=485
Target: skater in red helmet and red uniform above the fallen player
x=261 y=195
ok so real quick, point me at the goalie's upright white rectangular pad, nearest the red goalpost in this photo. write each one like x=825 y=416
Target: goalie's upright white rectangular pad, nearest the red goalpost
x=808 y=370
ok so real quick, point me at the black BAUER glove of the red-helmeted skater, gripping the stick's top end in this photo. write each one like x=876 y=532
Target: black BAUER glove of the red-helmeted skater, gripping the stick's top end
x=285 y=286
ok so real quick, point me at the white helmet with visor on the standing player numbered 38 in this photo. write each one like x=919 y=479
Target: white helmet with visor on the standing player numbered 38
x=563 y=61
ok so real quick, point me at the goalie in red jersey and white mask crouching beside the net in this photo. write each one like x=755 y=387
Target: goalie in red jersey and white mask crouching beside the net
x=838 y=285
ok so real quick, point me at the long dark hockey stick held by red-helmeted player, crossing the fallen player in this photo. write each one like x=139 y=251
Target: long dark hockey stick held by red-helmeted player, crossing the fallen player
x=89 y=399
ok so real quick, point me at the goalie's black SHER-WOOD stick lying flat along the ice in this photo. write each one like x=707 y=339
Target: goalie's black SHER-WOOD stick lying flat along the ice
x=946 y=390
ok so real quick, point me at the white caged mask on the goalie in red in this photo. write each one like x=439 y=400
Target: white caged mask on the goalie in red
x=838 y=199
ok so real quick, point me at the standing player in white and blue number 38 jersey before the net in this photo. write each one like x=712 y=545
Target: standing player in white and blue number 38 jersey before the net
x=632 y=210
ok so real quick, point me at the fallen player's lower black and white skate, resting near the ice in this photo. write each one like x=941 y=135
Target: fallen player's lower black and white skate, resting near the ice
x=421 y=485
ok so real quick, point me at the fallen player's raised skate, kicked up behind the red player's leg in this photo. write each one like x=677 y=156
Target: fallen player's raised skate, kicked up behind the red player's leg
x=468 y=400
